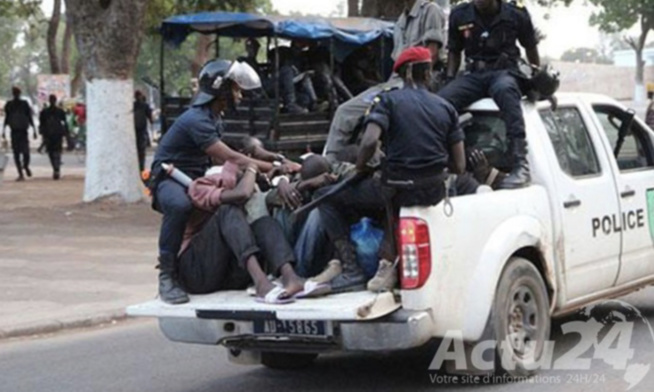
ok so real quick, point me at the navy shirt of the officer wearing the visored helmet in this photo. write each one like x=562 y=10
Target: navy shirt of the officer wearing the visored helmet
x=187 y=139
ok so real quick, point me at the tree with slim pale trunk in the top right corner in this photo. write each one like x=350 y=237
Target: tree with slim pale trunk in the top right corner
x=615 y=16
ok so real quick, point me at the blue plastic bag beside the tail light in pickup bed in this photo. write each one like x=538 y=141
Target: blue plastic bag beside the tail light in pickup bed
x=367 y=238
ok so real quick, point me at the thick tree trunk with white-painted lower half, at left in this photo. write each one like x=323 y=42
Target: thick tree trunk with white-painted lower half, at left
x=108 y=35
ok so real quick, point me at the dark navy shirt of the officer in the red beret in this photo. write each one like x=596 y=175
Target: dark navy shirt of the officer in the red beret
x=418 y=129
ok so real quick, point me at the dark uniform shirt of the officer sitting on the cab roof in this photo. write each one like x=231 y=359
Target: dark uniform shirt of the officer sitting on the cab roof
x=487 y=39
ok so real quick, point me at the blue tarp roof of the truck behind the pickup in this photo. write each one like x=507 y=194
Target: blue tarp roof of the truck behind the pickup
x=348 y=31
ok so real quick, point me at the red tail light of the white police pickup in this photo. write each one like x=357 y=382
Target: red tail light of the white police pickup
x=415 y=253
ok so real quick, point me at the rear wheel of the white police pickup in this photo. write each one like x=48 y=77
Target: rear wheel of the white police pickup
x=521 y=319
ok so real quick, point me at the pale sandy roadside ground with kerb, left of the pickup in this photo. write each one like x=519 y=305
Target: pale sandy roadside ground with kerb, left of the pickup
x=64 y=262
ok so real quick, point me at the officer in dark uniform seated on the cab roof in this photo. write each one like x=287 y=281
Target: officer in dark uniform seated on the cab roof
x=487 y=31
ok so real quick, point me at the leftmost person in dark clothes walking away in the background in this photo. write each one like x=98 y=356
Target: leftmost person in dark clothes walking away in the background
x=18 y=116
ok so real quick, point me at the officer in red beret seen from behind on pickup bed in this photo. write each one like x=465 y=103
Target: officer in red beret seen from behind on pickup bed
x=421 y=137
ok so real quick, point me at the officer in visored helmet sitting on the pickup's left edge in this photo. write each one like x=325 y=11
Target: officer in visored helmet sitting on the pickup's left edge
x=189 y=145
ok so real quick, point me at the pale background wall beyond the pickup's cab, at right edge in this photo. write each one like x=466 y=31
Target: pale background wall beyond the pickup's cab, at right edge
x=614 y=81
